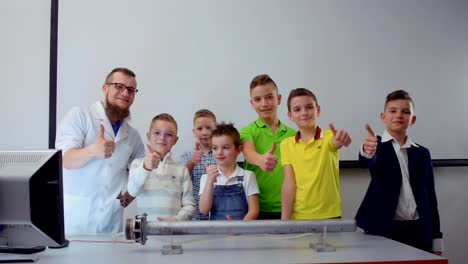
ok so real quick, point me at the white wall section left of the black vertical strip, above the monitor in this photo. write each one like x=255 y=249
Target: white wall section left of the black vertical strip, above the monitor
x=24 y=74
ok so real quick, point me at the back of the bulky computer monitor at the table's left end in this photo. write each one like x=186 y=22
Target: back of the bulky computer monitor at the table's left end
x=31 y=199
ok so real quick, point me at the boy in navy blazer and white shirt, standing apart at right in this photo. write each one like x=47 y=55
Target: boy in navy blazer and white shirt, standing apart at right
x=400 y=202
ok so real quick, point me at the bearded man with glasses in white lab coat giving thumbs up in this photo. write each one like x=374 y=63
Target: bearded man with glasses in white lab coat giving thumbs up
x=98 y=145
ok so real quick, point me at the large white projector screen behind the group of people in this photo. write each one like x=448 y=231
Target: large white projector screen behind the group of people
x=189 y=55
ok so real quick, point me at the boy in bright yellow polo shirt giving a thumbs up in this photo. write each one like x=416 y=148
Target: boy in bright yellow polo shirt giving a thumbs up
x=311 y=187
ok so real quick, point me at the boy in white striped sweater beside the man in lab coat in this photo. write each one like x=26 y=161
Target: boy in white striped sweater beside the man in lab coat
x=162 y=186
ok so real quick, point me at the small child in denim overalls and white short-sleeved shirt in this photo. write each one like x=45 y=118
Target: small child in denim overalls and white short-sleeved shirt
x=228 y=192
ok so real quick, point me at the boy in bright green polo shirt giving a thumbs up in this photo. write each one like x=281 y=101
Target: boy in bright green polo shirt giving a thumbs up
x=260 y=143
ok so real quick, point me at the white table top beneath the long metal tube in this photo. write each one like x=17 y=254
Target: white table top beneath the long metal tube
x=350 y=248
